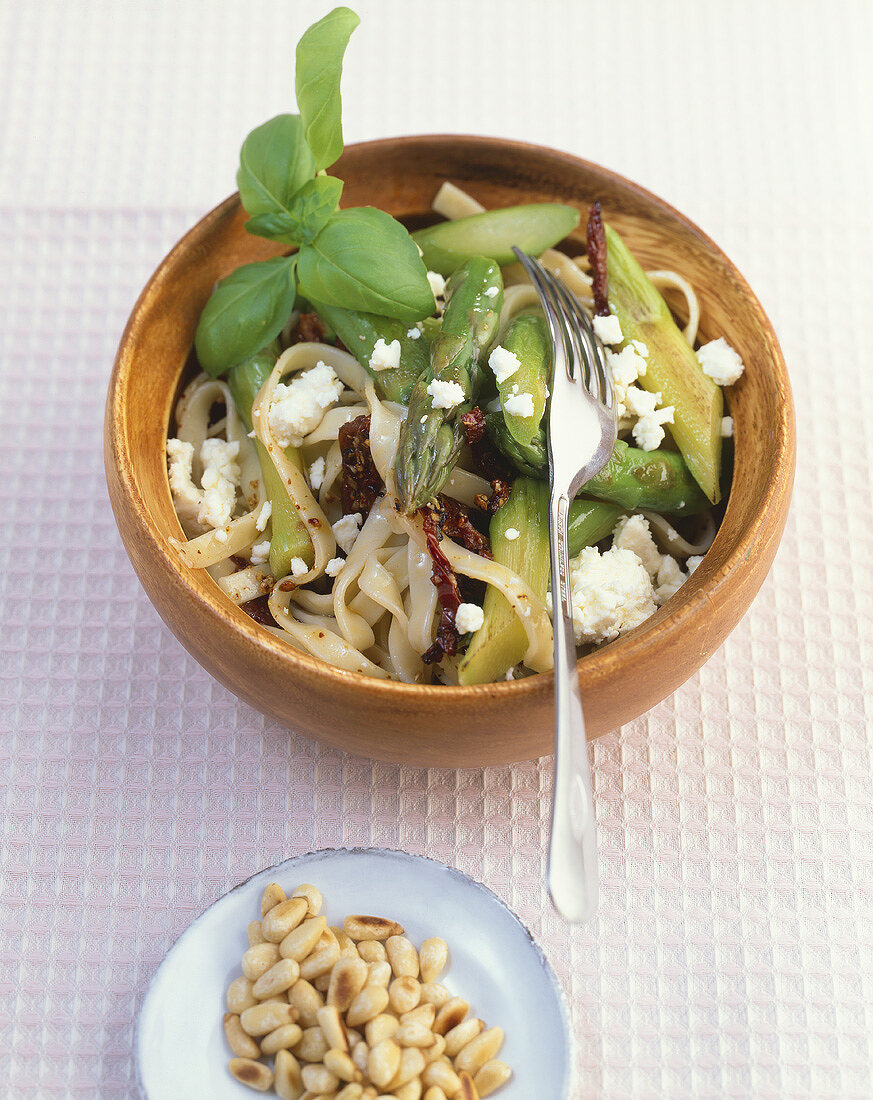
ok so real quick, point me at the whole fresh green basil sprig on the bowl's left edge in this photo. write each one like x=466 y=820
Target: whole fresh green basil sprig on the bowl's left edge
x=360 y=259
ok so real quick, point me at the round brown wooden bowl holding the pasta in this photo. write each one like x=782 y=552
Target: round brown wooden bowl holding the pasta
x=435 y=725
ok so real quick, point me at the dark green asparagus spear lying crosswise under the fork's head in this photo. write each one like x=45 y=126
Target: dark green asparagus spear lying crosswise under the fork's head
x=634 y=479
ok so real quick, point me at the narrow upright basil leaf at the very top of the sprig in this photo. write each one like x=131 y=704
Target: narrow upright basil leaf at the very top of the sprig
x=319 y=68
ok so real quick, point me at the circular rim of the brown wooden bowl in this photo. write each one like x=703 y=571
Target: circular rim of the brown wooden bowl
x=595 y=667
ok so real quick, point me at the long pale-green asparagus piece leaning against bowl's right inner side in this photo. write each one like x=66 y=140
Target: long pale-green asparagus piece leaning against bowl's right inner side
x=672 y=368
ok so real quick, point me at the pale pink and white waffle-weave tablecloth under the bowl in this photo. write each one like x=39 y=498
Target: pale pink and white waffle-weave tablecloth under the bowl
x=733 y=955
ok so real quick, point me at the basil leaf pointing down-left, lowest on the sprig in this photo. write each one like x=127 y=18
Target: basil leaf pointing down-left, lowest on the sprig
x=247 y=311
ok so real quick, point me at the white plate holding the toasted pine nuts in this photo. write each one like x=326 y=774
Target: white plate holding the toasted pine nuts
x=494 y=963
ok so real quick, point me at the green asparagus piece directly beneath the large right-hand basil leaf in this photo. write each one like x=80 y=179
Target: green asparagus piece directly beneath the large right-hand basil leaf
x=360 y=334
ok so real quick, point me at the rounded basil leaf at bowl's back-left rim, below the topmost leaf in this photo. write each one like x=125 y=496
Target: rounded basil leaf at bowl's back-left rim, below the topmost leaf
x=275 y=162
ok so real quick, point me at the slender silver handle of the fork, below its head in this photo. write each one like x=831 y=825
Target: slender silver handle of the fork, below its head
x=573 y=843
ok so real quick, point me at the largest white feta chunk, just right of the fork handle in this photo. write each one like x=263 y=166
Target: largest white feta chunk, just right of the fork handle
x=611 y=593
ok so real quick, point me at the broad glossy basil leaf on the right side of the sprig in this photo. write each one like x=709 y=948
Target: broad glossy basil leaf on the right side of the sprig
x=364 y=260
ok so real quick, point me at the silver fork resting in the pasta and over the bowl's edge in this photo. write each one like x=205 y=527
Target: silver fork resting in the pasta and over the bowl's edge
x=581 y=435
